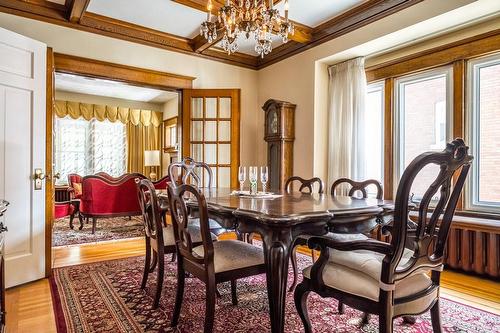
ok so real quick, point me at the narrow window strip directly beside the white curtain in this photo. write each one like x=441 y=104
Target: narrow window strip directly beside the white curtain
x=373 y=130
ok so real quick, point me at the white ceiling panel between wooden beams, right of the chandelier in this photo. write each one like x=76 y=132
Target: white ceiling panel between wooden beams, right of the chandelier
x=314 y=12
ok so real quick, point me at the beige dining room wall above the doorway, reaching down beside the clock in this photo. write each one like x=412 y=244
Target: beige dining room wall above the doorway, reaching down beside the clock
x=209 y=74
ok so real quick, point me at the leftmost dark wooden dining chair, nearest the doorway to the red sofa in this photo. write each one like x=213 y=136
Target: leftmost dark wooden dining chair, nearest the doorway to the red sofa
x=159 y=236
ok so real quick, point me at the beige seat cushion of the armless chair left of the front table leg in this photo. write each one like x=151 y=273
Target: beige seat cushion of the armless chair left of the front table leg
x=233 y=254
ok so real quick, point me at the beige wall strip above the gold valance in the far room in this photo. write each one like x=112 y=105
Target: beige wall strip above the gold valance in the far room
x=102 y=100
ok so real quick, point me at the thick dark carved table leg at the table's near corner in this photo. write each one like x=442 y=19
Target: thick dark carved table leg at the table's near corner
x=277 y=246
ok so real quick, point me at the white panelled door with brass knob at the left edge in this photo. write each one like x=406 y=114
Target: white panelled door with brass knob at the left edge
x=22 y=149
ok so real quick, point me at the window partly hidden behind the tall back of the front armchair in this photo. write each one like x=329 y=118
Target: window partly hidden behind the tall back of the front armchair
x=423 y=121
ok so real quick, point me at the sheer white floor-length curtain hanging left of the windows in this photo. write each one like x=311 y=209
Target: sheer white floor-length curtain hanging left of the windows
x=347 y=93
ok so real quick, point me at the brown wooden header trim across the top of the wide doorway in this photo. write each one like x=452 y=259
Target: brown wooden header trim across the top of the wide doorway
x=131 y=75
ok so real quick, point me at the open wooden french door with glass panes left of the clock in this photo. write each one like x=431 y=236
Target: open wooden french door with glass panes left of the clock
x=211 y=132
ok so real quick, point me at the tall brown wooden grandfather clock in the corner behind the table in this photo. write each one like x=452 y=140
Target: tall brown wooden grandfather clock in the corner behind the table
x=279 y=134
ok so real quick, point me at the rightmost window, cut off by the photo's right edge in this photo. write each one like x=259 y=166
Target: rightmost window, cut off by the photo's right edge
x=484 y=134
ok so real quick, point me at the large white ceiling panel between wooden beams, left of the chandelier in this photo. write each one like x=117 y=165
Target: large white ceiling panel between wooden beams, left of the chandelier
x=162 y=15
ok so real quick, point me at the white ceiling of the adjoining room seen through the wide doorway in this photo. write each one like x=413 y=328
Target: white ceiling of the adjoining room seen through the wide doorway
x=99 y=87
